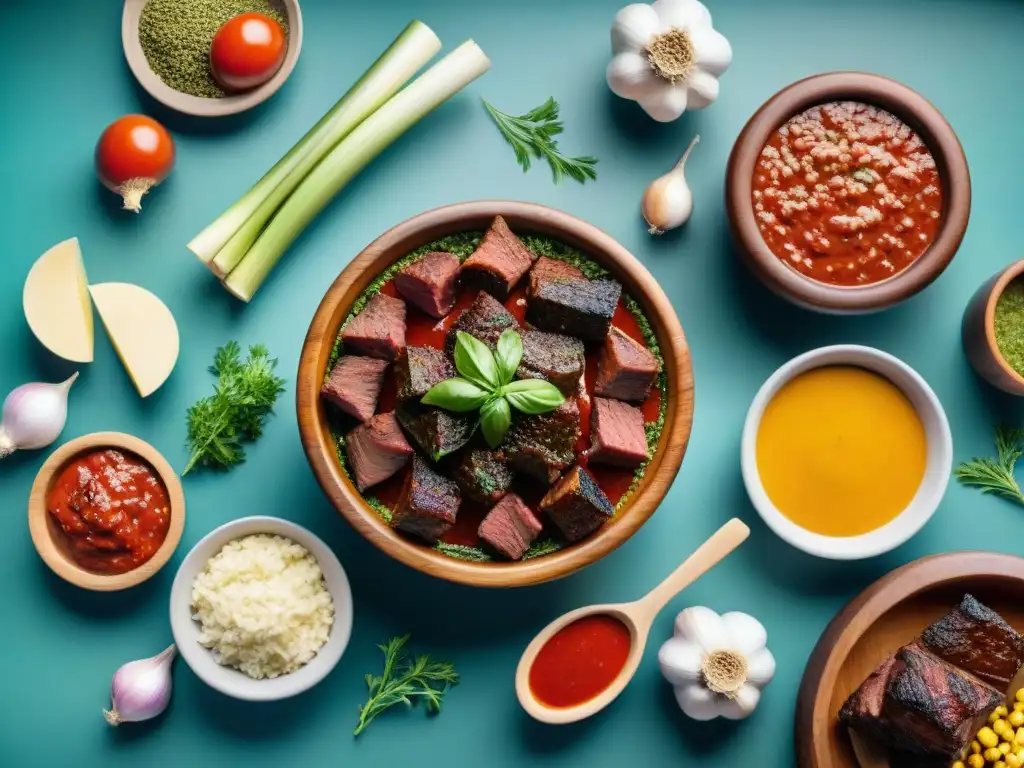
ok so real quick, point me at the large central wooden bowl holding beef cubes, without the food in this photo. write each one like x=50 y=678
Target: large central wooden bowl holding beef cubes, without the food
x=524 y=219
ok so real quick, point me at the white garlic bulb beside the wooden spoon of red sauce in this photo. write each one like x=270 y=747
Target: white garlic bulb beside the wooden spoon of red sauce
x=717 y=664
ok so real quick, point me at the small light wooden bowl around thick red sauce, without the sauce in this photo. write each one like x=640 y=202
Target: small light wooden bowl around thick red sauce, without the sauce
x=49 y=539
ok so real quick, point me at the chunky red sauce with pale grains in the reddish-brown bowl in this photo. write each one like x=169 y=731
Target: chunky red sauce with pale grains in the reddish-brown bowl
x=847 y=194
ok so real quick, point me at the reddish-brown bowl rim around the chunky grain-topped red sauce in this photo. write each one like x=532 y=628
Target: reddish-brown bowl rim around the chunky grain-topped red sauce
x=907 y=105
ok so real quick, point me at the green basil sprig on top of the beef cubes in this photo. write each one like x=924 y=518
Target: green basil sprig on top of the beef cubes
x=486 y=383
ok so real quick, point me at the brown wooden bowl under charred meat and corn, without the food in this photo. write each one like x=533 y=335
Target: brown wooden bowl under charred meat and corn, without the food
x=886 y=616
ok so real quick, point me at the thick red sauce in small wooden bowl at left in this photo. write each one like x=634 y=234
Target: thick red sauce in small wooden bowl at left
x=113 y=509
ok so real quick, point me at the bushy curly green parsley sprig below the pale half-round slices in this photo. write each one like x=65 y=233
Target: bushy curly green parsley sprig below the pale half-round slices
x=244 y=397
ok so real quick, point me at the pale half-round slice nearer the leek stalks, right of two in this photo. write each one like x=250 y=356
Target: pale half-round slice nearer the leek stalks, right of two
x=143 y=330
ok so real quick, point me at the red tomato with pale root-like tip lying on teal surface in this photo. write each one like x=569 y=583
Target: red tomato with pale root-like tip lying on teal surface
x=134 y=155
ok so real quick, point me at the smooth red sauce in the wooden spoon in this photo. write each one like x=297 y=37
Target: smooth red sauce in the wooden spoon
x=580 y=662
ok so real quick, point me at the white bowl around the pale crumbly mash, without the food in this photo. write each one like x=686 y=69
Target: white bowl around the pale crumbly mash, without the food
x=231 y=681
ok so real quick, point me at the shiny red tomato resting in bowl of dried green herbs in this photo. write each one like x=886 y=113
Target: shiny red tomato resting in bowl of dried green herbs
x=247 y=52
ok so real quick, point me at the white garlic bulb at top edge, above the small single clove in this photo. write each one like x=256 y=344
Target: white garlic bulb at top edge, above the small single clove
x=667 y=57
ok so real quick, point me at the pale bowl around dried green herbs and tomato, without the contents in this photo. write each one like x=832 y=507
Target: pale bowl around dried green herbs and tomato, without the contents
x=207 y=108
